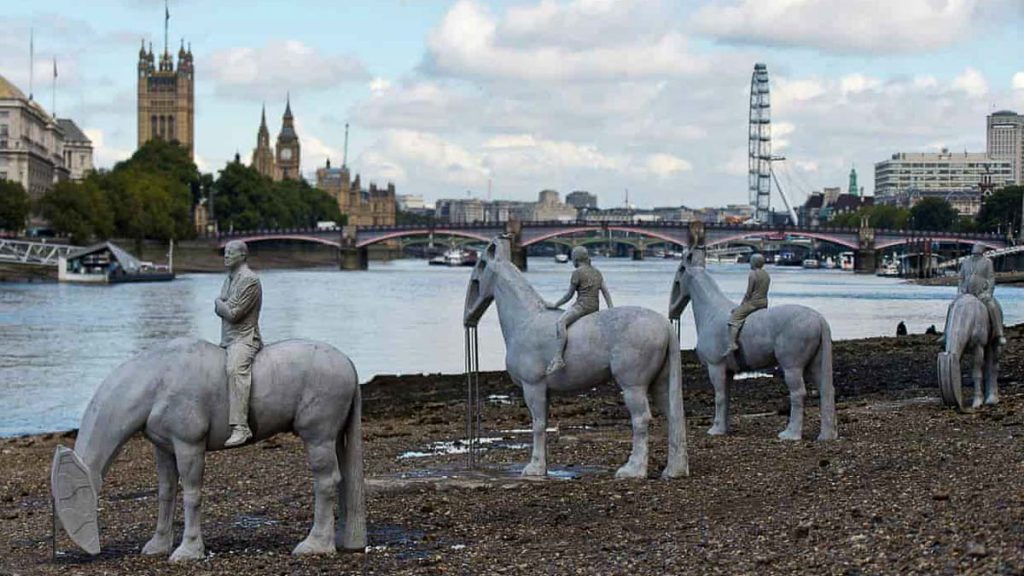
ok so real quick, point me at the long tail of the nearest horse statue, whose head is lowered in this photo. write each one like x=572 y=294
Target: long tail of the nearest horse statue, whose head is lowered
x=353 y=490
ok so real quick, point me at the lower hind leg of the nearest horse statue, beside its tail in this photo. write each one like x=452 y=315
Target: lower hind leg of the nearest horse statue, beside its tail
x=324 y=463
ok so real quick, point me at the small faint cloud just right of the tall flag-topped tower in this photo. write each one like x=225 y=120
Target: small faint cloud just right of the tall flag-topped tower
x=277 y=67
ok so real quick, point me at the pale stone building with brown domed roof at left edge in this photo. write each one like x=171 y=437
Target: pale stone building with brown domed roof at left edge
x=32 y=144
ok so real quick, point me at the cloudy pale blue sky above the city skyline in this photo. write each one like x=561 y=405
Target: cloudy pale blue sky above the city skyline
x=448 y=99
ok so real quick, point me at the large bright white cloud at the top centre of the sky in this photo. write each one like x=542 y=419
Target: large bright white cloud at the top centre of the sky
x=471 y=43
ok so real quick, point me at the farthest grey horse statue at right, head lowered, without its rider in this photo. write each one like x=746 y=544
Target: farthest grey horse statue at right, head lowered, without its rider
x=968 y=332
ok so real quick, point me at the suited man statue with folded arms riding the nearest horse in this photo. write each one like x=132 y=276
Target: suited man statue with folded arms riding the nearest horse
x=239 y=307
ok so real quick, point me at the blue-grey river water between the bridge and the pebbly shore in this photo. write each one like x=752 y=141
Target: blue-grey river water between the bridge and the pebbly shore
x=61 y=341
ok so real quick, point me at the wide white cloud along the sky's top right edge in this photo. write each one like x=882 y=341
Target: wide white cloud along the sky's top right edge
x=845 y=27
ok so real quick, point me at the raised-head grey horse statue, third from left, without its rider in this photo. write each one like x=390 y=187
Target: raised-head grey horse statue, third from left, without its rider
x=795 y=338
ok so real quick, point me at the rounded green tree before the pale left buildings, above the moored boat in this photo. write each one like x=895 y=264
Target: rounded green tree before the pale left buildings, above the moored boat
x=80 y=211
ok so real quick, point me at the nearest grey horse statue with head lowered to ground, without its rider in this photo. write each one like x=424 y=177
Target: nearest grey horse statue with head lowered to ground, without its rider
x=177 y=395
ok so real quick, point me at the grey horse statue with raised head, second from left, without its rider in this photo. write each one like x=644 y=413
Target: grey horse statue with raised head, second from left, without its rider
x=634 y=347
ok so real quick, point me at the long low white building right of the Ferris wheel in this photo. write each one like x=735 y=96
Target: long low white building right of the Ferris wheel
x=945 y=172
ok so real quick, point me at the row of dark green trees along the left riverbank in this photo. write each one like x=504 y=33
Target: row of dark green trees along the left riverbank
x=152 y=196
